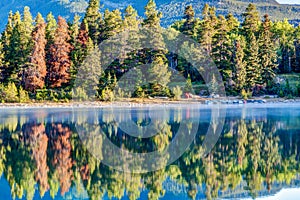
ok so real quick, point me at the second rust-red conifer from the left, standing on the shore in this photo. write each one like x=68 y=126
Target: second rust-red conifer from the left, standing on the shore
x=59 y=63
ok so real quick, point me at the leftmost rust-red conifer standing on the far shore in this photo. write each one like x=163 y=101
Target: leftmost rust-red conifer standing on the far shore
x=35 y=73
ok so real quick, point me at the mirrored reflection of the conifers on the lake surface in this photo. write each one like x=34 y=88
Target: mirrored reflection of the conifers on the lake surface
x=254 y=153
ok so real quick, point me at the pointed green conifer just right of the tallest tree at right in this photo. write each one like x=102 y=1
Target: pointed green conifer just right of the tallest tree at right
x=267 y=52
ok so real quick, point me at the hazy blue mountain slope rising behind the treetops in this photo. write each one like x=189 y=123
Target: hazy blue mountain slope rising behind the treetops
x=172 y=9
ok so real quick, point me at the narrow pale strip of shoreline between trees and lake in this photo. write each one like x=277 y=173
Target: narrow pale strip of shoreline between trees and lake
x=144 y=102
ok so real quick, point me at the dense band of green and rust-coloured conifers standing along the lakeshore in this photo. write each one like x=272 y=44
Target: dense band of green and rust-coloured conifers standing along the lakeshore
x=40 y=57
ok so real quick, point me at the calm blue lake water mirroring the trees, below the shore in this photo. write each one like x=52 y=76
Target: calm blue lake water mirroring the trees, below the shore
x=243 y=151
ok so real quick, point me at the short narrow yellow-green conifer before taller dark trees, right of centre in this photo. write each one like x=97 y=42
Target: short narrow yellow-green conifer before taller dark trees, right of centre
x=240 y=73
